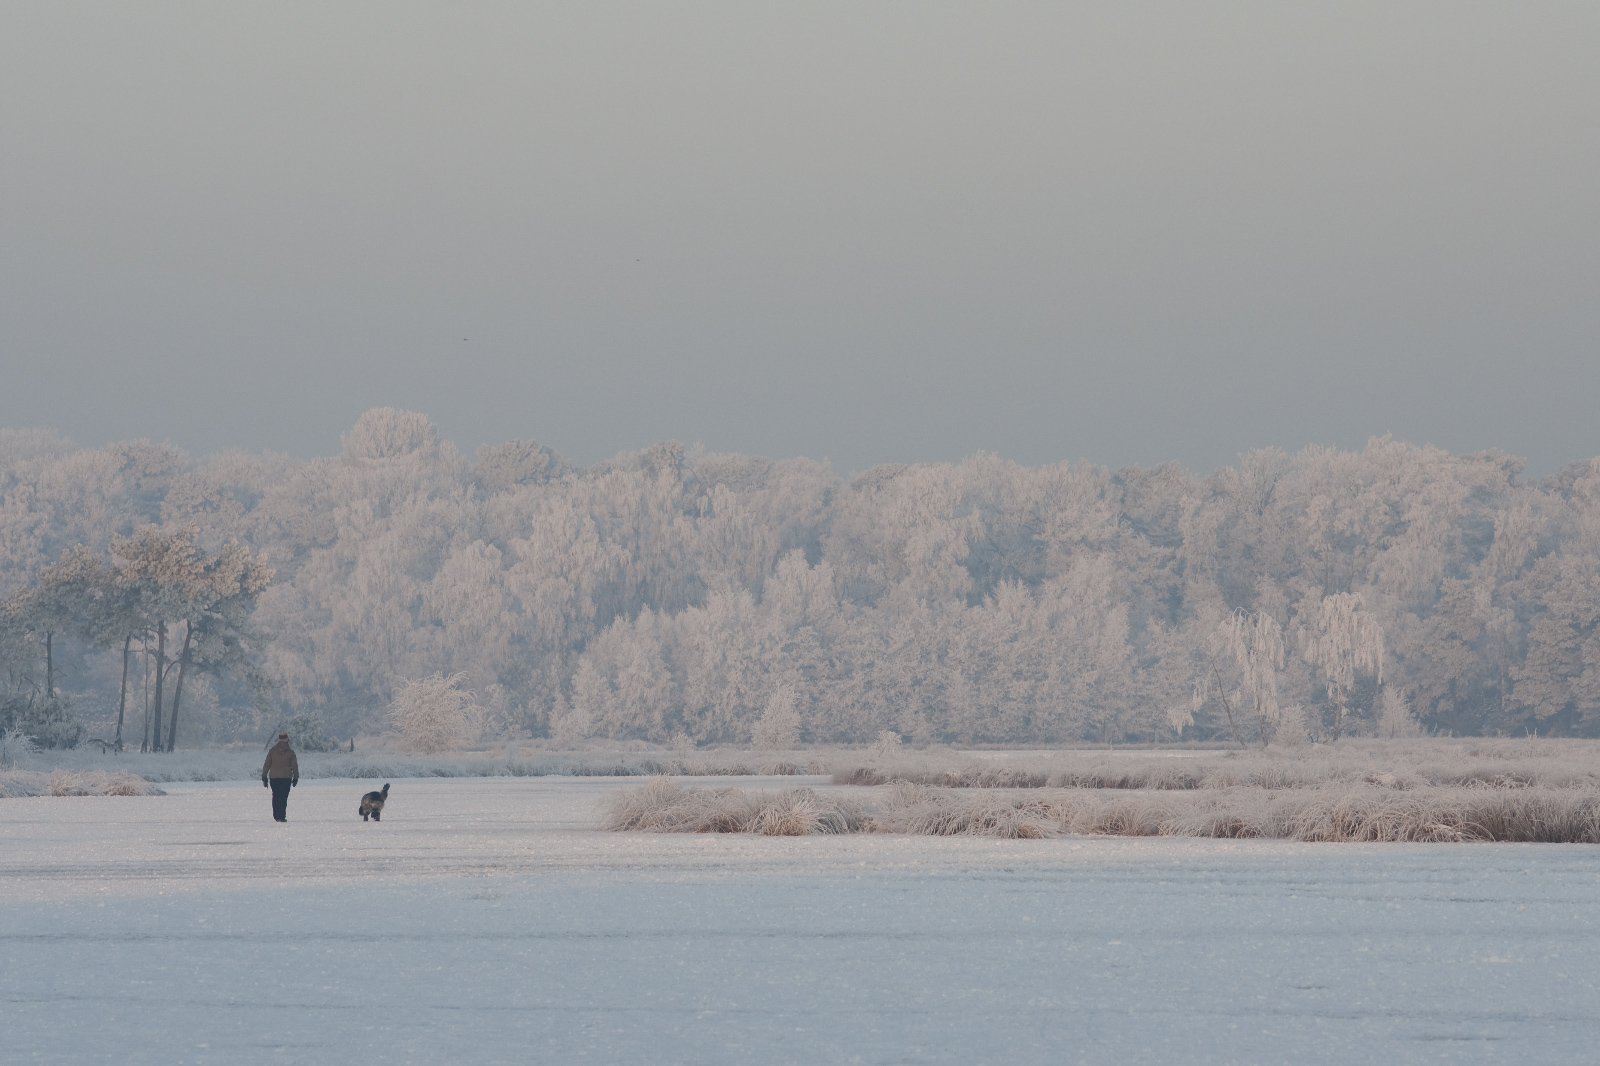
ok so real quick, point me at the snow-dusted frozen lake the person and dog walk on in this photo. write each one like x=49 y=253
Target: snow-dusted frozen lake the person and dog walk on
x=486 y=923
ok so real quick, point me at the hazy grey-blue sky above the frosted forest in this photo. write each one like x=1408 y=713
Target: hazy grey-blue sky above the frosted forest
x=855 y=231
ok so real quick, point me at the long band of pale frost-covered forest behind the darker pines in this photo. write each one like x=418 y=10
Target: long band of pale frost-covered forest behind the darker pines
x=676 y=593
